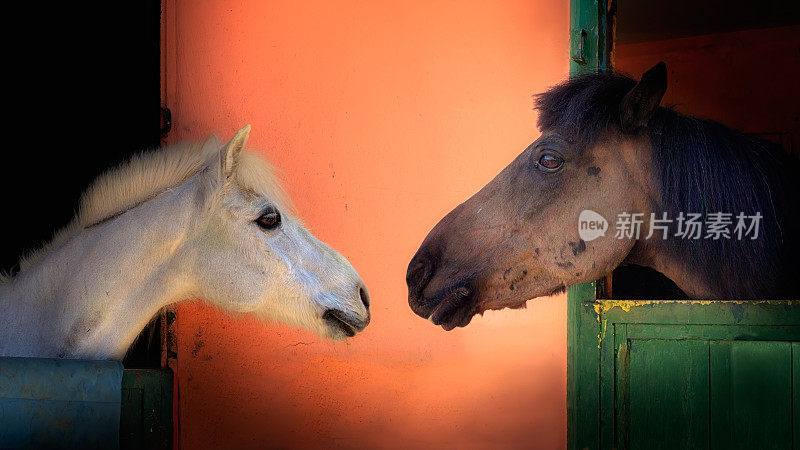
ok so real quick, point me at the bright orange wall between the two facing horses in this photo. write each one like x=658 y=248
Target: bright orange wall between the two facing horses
x=383 y=116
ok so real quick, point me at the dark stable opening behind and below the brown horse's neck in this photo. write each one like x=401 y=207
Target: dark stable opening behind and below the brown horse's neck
x=734 y=61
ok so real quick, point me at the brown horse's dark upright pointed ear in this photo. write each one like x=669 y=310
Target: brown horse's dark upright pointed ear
x=641 y=102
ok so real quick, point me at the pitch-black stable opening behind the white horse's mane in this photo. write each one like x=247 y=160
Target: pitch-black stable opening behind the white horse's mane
x=83 y=92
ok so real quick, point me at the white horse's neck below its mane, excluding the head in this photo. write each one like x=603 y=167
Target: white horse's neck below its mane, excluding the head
x=92 y=295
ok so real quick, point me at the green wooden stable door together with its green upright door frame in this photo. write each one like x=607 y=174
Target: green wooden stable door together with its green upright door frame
x=674 y=374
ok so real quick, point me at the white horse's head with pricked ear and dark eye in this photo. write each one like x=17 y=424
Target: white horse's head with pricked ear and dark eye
x=249 y=255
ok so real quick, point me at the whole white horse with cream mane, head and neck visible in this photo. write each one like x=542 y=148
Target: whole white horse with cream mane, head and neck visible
x=187 y=221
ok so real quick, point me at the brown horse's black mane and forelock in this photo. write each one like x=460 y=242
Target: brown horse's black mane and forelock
x=705 y=167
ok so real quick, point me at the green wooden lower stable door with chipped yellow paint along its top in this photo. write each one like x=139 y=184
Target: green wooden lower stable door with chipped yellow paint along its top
x=697 y=374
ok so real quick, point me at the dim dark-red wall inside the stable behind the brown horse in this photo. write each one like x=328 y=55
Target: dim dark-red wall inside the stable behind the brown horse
x=746 y=80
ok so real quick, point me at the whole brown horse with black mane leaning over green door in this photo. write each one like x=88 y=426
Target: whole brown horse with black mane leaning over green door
x=610 y=153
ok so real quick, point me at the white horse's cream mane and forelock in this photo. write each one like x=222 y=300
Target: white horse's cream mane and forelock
x=148 y=174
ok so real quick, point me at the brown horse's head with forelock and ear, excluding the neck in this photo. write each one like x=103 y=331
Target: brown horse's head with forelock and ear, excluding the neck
x=518 y=237
